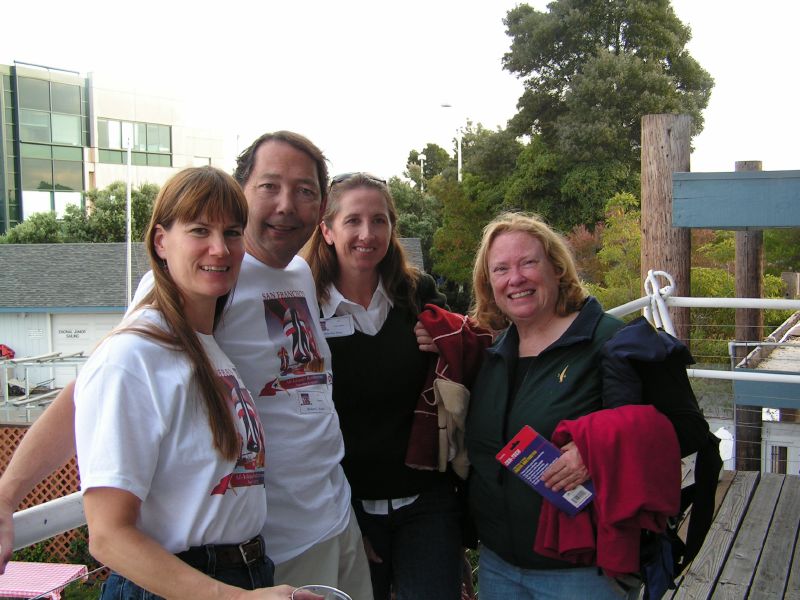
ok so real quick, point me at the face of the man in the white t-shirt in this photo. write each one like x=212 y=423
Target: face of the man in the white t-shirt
x=284 y=202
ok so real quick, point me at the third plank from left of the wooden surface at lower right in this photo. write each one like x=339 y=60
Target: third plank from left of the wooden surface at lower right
x=776 y=558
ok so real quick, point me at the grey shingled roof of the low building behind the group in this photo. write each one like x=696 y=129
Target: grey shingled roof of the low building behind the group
x=90 y=276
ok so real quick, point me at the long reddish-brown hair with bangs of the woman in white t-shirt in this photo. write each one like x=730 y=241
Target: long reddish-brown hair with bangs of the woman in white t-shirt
x=194 y=193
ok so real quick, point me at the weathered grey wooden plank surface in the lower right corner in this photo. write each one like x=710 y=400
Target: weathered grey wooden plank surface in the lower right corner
x=752 y=549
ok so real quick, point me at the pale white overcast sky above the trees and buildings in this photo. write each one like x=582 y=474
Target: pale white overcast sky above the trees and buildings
x=365 y=79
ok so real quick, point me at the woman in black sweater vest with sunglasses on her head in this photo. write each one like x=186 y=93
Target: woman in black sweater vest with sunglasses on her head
x=370 y=297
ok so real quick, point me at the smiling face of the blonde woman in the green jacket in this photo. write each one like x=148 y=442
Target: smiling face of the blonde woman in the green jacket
x=523 y=279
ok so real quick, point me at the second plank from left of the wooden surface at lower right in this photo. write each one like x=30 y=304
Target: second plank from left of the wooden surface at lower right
x=736 y=577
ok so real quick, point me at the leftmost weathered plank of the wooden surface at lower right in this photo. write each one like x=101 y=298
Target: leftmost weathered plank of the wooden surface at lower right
x=702 y=574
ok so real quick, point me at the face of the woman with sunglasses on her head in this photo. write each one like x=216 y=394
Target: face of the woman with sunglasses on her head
x=360 y=231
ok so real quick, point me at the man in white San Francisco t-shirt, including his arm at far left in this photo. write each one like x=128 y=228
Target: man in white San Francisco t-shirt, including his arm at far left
x=271 y=332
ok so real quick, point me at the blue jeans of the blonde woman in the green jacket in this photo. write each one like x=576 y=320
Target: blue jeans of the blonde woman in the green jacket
x=499 y=580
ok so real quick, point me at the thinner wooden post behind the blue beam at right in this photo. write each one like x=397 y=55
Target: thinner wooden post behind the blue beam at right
x=749 y=327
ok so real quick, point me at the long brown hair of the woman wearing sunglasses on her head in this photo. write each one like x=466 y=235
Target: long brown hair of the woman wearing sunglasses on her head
x=398 y=276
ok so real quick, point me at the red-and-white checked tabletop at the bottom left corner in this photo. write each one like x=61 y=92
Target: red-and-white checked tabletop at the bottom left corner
x=28 y=580
